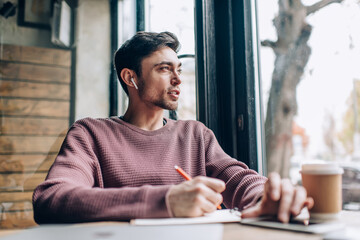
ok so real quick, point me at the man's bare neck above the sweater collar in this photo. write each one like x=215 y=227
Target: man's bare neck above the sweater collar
x=148 y=121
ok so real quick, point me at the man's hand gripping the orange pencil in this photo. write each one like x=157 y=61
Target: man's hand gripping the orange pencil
x=195 y=197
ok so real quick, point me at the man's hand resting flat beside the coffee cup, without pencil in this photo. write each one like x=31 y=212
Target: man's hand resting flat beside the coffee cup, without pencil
x=280 y=198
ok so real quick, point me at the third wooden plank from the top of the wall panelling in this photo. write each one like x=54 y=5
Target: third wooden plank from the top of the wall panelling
x=34 y=90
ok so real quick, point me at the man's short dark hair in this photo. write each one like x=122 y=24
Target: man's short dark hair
x=141 y=45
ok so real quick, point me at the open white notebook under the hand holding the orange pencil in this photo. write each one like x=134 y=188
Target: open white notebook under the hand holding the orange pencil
x=219 y=216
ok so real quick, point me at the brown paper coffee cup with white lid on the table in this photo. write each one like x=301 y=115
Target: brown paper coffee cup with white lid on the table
x=323 y=182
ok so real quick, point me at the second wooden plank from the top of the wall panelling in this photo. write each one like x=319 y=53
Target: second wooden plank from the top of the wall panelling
x=42 y=73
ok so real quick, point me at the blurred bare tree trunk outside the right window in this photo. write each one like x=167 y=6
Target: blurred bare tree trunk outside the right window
x=292 y=53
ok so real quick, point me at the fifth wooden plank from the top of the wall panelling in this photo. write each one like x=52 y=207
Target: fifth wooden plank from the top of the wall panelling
x=33 y=126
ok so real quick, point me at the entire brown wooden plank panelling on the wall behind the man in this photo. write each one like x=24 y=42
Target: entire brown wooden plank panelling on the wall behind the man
x=35 y=109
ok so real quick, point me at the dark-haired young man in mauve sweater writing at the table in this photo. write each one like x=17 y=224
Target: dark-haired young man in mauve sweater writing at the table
x=121 y=168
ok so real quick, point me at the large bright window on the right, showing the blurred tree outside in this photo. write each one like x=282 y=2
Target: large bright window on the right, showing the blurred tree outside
x=311 y=86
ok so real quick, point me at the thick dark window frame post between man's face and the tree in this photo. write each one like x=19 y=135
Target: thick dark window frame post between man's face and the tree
x=226 y=76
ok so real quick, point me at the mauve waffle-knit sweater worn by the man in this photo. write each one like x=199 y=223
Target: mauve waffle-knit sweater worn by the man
x=108 y=169
